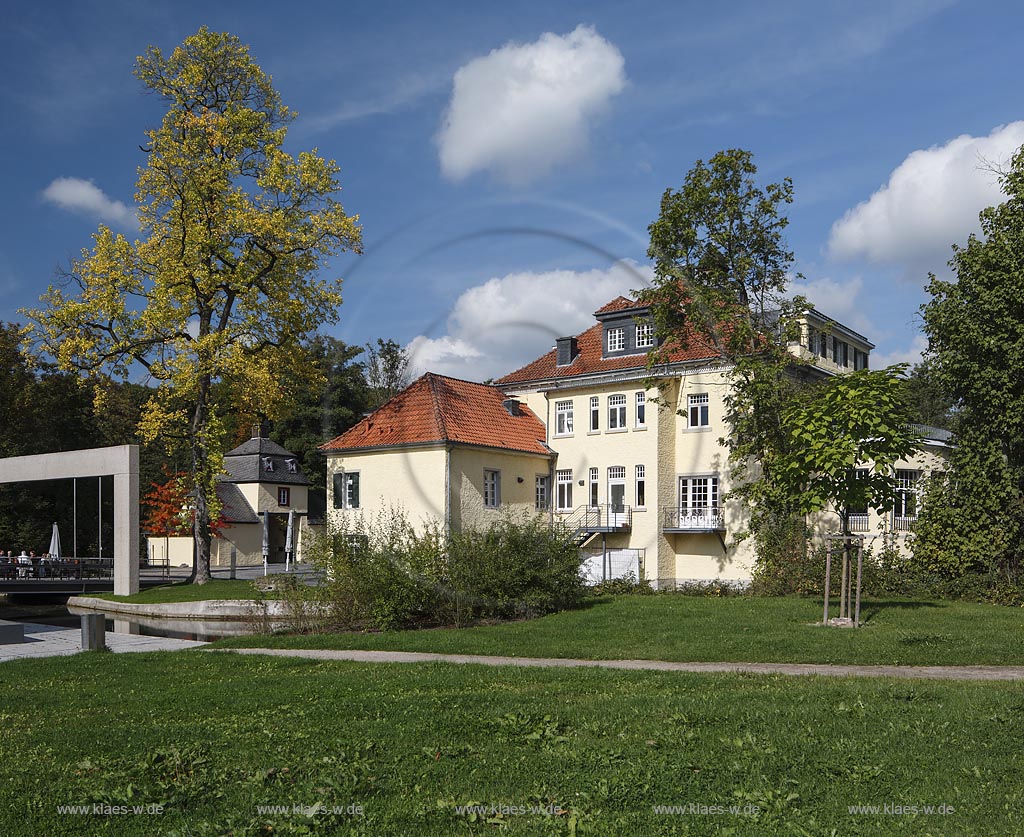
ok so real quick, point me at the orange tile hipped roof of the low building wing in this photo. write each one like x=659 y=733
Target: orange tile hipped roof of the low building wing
x=439 y=409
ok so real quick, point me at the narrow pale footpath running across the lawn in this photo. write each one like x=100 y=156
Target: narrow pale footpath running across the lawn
x=923 y=673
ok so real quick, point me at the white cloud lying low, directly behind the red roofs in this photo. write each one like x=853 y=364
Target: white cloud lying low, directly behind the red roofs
x=505 y=323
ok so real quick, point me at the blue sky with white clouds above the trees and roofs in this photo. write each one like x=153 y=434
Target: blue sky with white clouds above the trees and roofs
x=506 y=159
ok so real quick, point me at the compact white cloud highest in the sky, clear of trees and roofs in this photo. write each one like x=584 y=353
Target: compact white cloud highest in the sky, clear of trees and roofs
x=524 y=109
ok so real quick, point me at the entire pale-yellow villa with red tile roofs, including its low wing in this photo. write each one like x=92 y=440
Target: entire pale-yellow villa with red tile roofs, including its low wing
x=641 y=483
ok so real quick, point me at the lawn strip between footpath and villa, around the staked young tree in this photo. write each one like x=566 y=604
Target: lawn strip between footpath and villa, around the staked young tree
x=734 y=630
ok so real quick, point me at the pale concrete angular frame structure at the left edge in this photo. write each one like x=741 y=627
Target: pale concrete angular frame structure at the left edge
x=121 y=463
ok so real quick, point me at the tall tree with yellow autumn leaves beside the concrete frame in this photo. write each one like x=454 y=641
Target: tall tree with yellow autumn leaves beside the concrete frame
x=217 y=297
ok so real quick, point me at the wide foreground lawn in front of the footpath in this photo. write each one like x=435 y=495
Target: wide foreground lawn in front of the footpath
x=211 y=737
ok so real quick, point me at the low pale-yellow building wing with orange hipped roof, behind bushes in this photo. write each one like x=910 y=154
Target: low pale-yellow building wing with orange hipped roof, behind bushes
x=442 y=450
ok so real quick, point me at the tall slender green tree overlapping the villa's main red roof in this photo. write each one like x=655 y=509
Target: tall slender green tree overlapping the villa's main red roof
x=721 y=276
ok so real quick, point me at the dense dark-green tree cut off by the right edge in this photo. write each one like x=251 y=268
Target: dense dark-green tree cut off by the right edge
x=973 y=518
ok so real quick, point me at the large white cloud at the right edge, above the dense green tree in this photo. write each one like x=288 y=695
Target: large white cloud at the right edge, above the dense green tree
x=932 y=201
